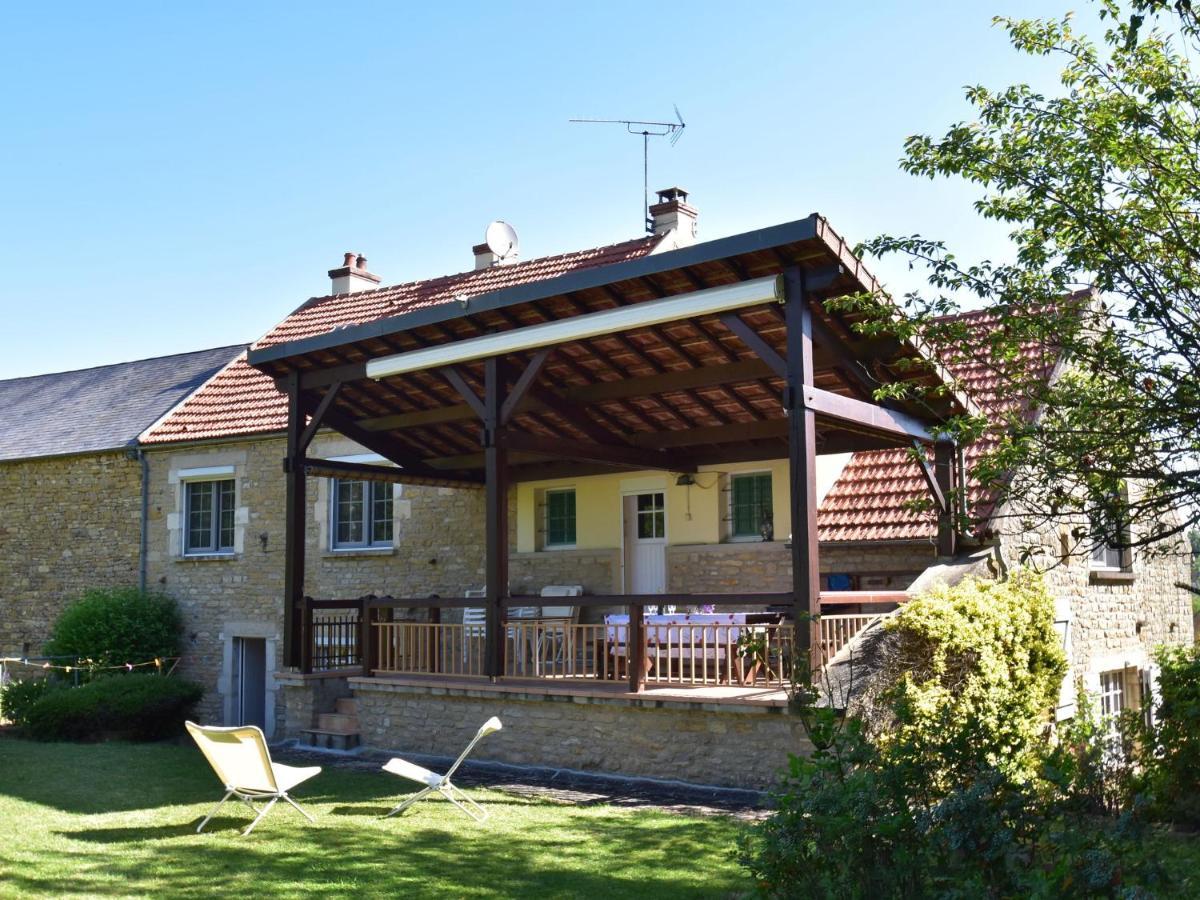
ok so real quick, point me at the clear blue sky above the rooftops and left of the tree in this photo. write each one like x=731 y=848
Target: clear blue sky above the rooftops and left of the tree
x=178 y=177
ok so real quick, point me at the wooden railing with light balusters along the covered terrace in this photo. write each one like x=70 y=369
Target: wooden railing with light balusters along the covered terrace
x=367 y=635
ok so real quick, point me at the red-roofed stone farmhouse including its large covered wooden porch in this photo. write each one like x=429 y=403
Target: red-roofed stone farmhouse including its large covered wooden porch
x=369 y=505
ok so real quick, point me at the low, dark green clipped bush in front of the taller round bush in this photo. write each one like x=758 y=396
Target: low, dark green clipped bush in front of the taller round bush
x=137 y=707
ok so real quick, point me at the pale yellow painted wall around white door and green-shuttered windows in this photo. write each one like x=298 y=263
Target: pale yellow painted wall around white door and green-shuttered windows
x=695 y=514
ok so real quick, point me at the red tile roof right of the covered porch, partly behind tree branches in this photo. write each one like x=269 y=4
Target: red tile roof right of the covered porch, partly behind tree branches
x=871 y=500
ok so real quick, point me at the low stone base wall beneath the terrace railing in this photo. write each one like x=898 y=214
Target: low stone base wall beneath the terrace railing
x=734 y=746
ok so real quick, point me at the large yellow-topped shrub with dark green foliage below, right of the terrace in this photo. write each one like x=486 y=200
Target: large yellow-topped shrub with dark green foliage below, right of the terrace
x=952 y=794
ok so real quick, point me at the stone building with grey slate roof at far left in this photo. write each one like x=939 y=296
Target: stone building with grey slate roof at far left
x=71 y=482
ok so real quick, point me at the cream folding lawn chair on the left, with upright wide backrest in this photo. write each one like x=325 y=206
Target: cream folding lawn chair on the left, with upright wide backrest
x=241 y=759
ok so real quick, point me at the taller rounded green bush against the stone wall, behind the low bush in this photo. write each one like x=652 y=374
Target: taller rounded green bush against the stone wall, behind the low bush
x=112 y=627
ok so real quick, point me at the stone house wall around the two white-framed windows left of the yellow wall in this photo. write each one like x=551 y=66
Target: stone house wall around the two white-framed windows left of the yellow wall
x=439 y=550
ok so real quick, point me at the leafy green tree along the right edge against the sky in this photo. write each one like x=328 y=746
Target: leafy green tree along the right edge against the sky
x=1095 y=326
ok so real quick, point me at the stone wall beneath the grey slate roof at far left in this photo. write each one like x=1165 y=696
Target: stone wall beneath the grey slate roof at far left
x=69 y=524
